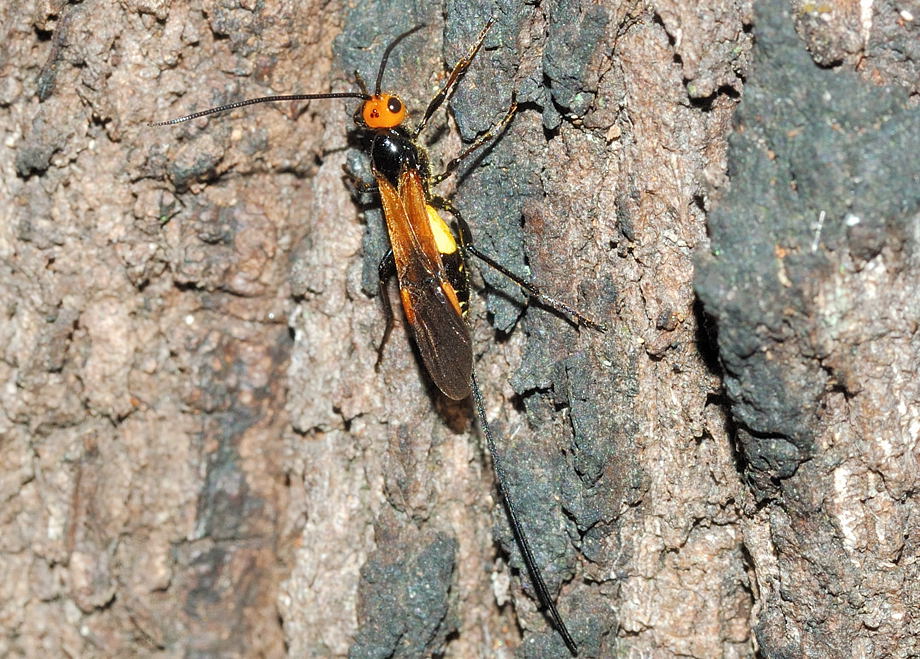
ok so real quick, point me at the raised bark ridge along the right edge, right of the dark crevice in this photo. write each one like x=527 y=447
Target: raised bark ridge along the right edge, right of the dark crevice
x=813 y=277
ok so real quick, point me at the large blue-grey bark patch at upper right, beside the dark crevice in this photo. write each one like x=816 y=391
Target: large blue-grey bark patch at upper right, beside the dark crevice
x=815 y=171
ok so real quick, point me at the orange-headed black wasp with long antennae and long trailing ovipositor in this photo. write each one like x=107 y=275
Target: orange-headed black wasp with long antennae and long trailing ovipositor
x=428 y=256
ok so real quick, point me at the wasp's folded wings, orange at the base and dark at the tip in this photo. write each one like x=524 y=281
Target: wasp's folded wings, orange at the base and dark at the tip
x=429 y=300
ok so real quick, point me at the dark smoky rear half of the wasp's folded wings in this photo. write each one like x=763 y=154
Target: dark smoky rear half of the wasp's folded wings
x=443 y=339
